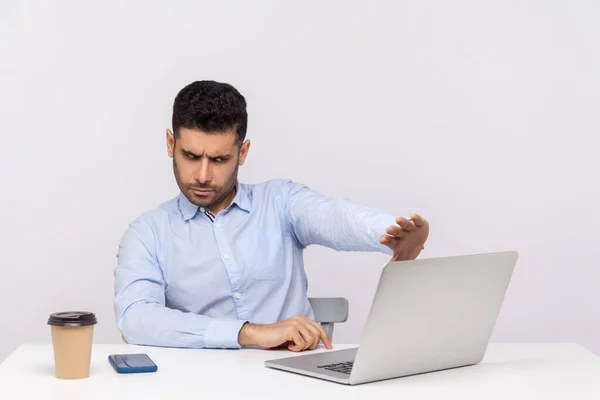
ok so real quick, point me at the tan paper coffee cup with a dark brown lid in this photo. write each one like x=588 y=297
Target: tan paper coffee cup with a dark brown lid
x=72 y=333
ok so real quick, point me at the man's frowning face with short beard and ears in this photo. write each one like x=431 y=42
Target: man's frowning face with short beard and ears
x=206 y=166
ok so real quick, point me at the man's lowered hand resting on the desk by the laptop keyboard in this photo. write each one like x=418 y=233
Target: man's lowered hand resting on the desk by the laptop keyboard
x=297 y=334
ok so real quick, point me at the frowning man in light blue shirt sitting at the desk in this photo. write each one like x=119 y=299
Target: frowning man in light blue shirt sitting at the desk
x=220 y=265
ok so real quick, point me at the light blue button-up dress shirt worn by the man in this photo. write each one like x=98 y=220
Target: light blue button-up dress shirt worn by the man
x=185 y=281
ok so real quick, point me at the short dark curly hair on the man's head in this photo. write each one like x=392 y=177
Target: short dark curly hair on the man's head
x=212 y=107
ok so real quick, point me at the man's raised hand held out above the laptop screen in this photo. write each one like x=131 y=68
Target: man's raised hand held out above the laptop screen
x=407 y=238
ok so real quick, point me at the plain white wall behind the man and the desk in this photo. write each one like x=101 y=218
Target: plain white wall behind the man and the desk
x=482 y=117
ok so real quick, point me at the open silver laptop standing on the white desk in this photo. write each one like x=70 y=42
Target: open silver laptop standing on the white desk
x=427 y=315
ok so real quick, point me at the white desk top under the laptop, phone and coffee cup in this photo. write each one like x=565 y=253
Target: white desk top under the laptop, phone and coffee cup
x=509 y=371
